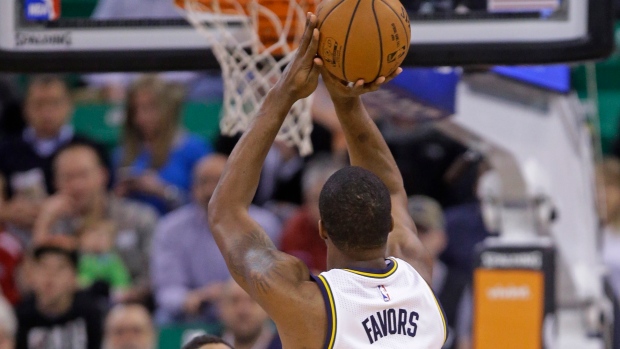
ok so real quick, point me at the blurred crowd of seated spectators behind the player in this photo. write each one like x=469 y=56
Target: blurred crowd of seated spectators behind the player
x=104 y=249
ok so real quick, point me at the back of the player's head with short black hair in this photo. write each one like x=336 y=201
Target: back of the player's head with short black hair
x=355 y=209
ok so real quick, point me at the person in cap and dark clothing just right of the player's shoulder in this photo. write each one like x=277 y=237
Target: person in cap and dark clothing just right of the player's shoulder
x=450 y=285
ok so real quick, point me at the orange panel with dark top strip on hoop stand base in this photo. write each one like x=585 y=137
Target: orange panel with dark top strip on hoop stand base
x=513 y=293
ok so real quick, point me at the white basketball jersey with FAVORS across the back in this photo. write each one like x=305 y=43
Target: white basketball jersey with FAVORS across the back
x=392 y=308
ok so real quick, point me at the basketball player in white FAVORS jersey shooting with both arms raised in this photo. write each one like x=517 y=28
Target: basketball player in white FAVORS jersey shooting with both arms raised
x=365 y=300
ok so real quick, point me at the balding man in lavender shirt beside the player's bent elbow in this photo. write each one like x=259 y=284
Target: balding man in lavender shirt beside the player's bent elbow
x=187 y=268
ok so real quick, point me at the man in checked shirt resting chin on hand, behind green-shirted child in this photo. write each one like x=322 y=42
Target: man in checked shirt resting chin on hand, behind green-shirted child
x=82 y=195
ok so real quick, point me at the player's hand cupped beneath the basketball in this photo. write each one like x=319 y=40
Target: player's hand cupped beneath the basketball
x=339 y=89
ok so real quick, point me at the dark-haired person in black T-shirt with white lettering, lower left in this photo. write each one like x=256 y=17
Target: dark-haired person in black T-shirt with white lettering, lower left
x=57 y=316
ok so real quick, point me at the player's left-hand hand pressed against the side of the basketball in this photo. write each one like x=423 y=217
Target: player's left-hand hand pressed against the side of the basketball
x=301 y=76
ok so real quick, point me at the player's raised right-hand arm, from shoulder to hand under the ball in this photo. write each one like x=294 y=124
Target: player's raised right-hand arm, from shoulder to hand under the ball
x=368 y=149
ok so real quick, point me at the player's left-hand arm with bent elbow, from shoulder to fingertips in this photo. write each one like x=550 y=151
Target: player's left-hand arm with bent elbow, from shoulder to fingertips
x=267 y=274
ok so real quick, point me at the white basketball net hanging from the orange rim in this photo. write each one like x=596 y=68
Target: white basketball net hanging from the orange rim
x=253 y=41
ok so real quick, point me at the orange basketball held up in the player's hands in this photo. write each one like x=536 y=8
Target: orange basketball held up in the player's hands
x=362 y=39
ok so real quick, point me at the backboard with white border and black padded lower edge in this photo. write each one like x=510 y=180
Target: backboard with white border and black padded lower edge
x=36 y=38
